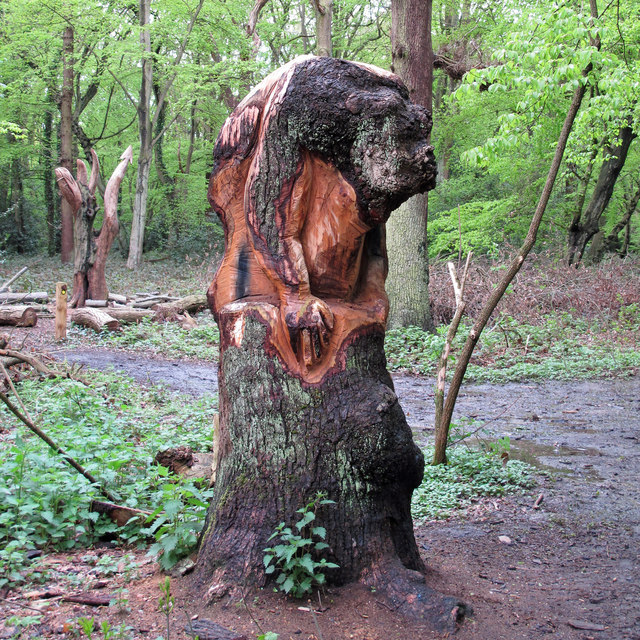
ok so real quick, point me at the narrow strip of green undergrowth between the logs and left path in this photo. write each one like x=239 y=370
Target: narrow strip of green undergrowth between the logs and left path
x=167 y=339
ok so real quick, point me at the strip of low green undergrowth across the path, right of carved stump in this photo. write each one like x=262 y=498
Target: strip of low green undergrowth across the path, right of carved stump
x=562 y=347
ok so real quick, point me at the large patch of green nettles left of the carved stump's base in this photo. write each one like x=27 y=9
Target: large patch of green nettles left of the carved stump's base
x=114 y=429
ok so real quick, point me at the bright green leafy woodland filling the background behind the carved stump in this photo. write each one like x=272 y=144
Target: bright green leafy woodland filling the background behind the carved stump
x=504 y=73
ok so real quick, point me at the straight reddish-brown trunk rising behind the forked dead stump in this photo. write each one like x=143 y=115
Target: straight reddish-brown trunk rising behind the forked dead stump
x=66 y=141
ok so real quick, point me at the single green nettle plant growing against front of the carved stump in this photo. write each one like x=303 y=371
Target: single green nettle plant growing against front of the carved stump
x=293 y=558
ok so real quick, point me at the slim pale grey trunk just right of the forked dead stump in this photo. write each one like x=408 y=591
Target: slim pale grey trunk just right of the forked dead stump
x=145 y=132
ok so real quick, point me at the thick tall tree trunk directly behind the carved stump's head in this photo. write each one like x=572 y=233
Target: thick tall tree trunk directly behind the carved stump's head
x=408 y=281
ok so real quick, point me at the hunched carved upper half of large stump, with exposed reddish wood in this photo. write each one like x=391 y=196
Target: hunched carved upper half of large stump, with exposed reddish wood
x=303 y=210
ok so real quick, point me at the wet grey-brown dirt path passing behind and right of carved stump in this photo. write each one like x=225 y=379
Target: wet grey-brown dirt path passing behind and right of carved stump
x=572 y=569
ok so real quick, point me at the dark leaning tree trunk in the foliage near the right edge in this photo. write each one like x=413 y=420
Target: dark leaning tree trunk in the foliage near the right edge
x=580 y=232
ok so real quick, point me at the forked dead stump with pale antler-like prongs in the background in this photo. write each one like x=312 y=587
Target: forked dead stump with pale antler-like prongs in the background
x=91 y=248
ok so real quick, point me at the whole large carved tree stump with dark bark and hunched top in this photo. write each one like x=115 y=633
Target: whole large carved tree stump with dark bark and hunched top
x=306 y=171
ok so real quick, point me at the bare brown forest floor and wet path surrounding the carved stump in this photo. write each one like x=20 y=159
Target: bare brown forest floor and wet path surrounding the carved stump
x=561 y=560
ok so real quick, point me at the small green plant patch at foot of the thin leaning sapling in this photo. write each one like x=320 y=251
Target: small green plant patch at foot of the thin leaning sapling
x=469 y=475
